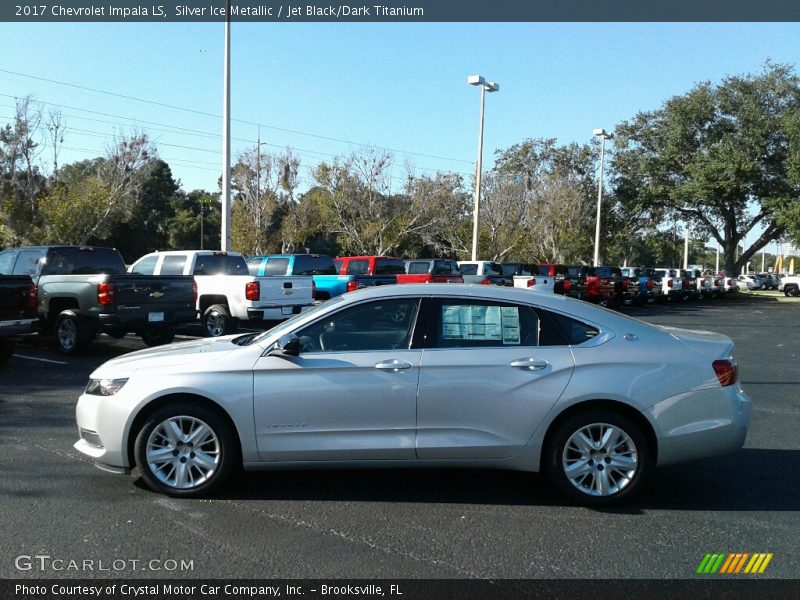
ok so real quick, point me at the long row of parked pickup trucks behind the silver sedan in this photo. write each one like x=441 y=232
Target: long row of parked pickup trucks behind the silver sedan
x=76 y=293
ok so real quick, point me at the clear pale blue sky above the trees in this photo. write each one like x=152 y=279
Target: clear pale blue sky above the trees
x=329 y=89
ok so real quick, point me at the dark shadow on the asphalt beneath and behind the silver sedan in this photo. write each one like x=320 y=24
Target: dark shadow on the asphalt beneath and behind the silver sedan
x=749 y=480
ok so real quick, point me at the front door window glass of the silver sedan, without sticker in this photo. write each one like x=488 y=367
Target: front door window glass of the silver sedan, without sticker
x=380 y=325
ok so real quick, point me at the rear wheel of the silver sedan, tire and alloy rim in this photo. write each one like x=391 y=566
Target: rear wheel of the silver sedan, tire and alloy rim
x=598 y=458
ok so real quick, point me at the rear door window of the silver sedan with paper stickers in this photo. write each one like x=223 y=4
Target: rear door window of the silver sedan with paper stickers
x=465 y=323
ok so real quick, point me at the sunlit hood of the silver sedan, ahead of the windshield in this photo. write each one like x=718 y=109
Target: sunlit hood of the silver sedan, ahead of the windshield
x=193 y=352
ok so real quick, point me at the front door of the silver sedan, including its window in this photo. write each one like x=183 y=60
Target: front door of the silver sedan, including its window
x=350 y=394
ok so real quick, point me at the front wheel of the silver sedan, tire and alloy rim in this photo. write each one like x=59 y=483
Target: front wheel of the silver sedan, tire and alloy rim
x=186 y=451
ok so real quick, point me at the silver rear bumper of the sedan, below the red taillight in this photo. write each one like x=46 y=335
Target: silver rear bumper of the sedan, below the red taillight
x=701 y=424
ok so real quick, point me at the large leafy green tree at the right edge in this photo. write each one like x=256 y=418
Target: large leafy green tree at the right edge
x=721 y=157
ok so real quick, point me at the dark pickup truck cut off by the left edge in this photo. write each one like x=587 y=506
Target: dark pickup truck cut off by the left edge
x=17 y=309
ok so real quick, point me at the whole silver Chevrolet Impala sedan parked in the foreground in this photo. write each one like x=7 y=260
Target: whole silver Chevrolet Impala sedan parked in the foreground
x=423 y=375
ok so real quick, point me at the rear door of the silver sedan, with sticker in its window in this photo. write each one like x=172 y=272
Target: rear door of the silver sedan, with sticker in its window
x=486 y=381
